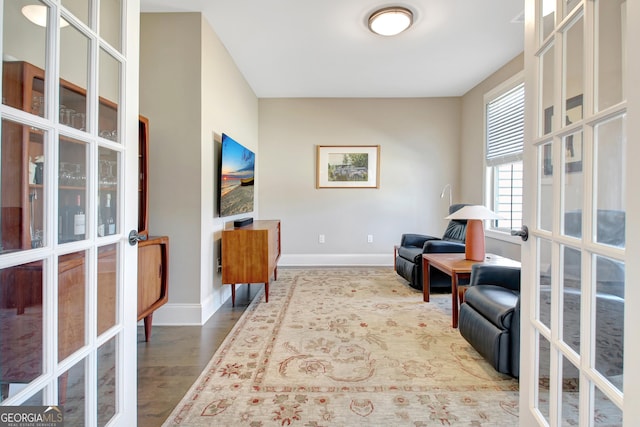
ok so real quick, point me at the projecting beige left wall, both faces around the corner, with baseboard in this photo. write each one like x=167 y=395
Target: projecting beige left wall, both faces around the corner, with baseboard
x=189 y=89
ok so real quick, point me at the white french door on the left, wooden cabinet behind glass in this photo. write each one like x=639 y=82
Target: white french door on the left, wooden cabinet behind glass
x=68 y=191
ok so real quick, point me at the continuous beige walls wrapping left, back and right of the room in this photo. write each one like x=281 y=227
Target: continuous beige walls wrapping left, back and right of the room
x=191 y=89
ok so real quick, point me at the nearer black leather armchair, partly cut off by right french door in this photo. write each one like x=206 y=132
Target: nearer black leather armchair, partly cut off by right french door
x=490 y=316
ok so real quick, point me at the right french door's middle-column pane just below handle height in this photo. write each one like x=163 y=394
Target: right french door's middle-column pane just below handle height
x=571 y=291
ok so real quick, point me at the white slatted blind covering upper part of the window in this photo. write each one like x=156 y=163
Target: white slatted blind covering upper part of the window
x=505 y=127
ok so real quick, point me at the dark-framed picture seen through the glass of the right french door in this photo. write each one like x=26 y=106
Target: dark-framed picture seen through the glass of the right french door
x=572 y=143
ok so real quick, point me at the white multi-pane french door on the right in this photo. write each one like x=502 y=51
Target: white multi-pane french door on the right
x=581 y=141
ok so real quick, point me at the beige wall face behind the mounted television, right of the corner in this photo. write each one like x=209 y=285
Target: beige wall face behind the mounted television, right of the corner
x=230 y=106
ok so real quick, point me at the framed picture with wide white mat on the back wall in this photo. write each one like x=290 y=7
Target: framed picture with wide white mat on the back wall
x=348 y=166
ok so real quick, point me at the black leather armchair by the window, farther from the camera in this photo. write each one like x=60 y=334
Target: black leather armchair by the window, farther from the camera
x=408 y=260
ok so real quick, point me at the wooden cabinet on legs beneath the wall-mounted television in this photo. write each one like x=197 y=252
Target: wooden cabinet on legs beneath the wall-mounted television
x=250 y=254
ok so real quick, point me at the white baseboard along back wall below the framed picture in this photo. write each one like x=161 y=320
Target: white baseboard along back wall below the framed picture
x=335 y=260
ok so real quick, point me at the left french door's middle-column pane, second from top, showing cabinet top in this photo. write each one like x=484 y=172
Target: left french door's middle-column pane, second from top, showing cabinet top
x=74 y=76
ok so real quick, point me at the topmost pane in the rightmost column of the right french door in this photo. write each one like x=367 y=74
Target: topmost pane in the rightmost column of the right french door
x=610 y=47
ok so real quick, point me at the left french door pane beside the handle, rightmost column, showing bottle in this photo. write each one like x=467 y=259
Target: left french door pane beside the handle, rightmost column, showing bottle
x=108 y=192
